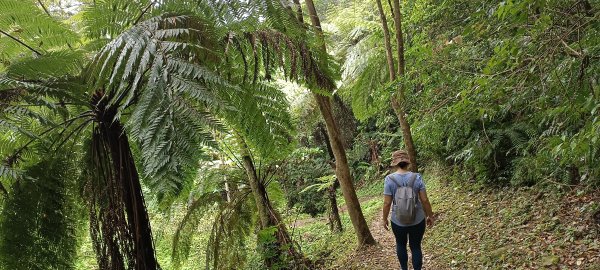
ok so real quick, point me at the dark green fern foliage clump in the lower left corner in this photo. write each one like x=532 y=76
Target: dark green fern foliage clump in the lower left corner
x=39 y=221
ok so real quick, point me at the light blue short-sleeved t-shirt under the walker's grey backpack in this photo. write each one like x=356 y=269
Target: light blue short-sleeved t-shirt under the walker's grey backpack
x=390 y=187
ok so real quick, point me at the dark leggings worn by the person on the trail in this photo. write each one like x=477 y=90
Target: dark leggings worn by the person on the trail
x=415 y=235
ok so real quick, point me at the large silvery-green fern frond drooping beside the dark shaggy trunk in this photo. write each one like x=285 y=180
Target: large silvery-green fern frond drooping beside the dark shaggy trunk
x=165 y=66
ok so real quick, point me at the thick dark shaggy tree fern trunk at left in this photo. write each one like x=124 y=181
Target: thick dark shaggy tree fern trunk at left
x=120 y=226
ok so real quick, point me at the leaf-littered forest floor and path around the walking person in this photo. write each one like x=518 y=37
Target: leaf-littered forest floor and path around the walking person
x=525 y=228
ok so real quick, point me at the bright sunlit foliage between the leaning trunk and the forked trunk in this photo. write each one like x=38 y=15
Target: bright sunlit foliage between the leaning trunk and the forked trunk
x=359 y=39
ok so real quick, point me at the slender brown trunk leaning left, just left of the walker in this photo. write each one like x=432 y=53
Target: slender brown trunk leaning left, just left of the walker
x=359 y=223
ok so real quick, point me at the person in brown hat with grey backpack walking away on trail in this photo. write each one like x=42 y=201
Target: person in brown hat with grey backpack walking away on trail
x=404 y=192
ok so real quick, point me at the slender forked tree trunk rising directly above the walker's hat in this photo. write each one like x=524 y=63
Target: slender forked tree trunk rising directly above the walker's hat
x=398 y=101
